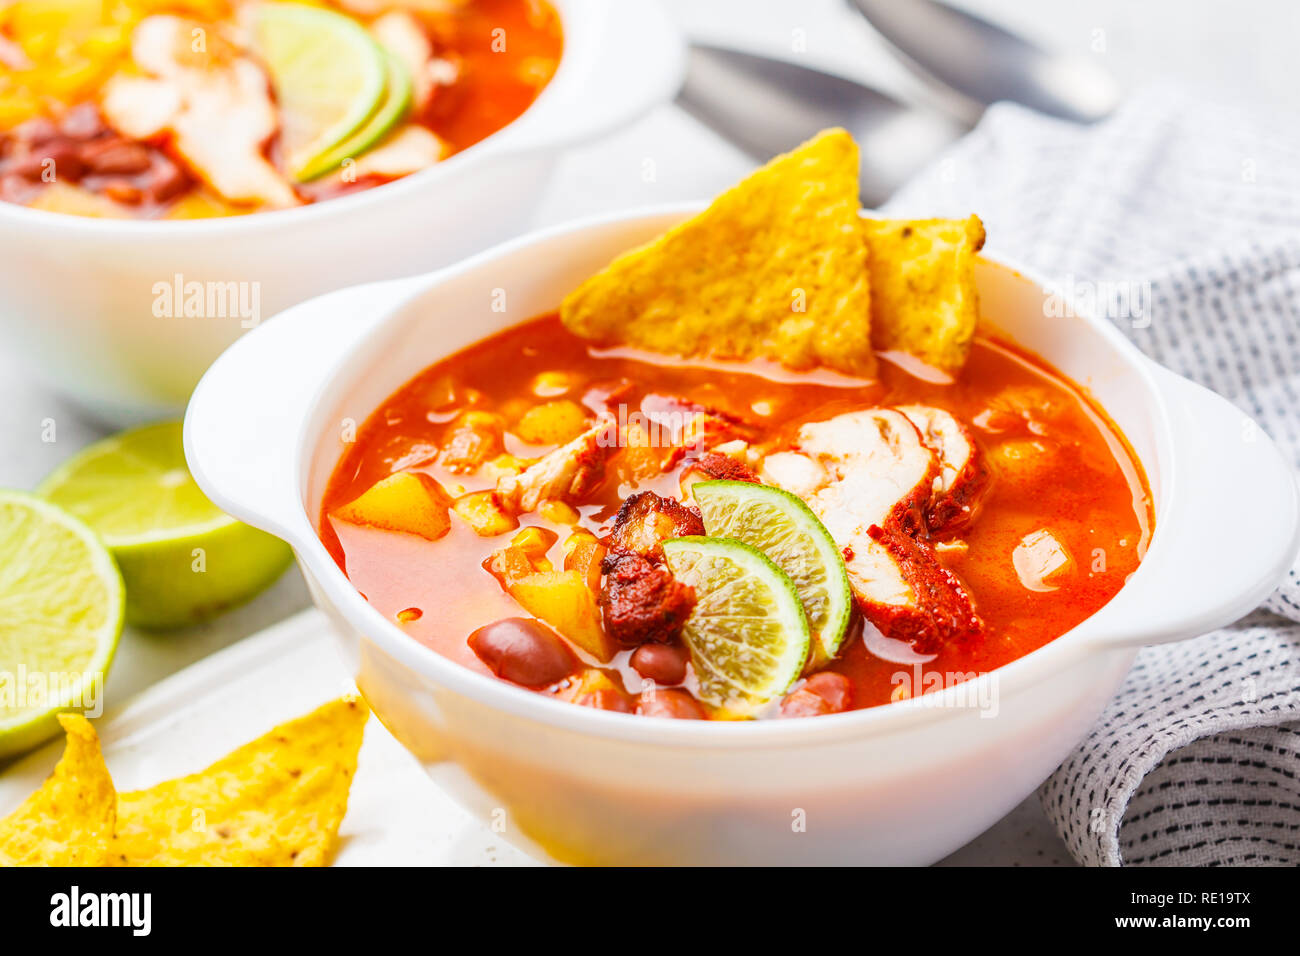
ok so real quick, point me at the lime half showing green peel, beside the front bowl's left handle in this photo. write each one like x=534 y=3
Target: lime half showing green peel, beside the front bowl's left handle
x=183 y=560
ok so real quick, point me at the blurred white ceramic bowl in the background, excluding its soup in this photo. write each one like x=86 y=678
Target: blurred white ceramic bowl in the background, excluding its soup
x=79 y=296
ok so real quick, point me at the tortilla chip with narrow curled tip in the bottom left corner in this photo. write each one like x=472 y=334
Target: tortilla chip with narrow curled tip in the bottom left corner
x=70 y=821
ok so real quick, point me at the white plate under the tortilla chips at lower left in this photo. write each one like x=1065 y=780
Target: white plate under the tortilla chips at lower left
x=396 y=815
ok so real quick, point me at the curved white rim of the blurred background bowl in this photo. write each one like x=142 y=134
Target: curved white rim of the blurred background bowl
x=510 y=140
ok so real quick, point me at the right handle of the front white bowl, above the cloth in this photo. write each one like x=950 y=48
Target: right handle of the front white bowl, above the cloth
x=1229 y=535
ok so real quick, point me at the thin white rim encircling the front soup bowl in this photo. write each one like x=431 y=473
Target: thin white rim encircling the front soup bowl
x=1011 y=680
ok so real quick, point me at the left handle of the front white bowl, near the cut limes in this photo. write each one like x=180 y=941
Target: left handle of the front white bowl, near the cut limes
x=245 y=419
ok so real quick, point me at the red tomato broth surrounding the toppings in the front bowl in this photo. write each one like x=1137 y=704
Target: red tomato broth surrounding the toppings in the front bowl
x=1063 y=520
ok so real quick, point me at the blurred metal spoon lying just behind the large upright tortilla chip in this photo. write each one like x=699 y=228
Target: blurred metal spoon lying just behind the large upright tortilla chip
x=768 y=106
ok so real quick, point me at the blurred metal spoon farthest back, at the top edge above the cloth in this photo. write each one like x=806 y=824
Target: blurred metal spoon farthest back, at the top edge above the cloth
x=982 y=63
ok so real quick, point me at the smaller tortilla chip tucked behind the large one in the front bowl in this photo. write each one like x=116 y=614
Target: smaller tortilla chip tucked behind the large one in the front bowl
x=924 y=299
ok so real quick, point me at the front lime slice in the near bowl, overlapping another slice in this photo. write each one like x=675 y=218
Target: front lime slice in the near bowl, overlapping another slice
x=748 y=634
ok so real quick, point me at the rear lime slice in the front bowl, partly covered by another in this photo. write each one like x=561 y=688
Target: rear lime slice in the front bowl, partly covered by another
x=786 y=530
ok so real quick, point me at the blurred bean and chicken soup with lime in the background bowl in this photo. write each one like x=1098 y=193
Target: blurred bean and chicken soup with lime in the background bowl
x=201 y=109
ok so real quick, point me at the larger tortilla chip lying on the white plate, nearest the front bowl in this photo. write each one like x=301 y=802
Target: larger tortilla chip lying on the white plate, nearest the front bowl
x=276 y=802
